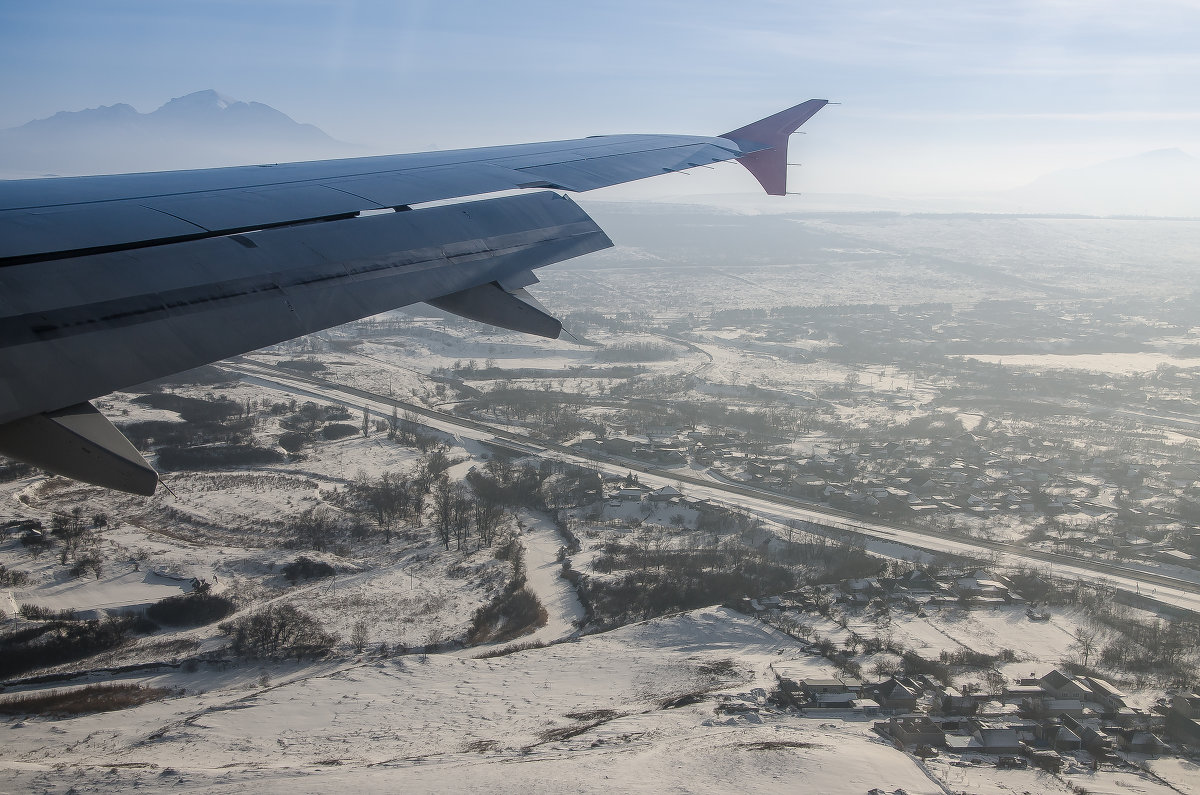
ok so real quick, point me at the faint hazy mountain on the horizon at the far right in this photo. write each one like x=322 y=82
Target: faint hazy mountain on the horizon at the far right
x=1165 y=182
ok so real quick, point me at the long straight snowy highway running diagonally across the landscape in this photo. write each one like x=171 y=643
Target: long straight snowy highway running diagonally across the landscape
x=1159 y=588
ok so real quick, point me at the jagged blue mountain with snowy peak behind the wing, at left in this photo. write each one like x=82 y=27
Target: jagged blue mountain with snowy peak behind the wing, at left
x=200 y=130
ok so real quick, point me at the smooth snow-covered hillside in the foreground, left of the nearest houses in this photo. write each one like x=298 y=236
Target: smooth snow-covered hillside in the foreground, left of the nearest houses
x=590 y=716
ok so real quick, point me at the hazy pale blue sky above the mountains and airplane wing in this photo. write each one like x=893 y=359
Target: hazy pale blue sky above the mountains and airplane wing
x=935 y=95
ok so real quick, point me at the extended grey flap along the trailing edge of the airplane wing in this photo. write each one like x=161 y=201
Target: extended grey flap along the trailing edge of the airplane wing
x=160 y=316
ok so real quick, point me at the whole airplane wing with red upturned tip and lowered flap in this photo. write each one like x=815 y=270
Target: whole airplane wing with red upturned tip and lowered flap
x=111 y=282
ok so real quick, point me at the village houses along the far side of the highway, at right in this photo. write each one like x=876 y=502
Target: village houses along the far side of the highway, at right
x=969 y=475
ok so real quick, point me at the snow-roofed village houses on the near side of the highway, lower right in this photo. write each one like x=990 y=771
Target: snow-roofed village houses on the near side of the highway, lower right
x=1031 y=720
